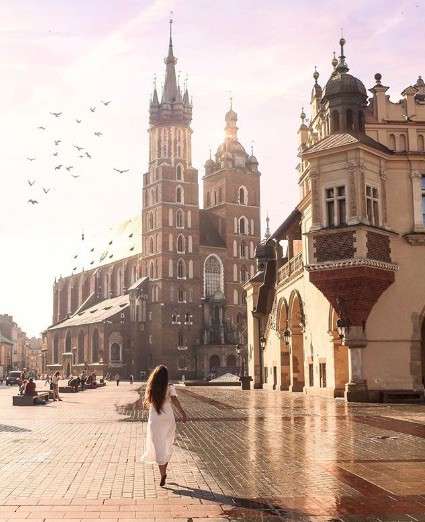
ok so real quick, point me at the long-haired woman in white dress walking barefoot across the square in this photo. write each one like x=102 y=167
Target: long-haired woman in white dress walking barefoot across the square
x=161 y=423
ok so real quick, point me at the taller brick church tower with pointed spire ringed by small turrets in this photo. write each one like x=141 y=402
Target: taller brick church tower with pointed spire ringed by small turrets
x=170 y=218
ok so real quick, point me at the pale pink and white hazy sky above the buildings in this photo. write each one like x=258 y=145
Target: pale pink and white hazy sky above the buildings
x=69 y=55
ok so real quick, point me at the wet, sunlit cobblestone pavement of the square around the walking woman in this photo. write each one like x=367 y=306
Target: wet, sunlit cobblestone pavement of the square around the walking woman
x=254 y=455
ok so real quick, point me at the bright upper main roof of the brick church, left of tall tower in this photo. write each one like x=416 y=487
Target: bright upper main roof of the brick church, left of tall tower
x=109 y=245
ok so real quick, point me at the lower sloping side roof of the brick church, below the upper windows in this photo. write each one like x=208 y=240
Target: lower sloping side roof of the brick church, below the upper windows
x=96 y=313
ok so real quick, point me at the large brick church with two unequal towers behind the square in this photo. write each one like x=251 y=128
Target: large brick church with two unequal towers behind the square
x=165 y=286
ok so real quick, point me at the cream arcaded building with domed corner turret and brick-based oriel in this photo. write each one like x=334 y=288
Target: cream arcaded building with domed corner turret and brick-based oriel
x=337 y=308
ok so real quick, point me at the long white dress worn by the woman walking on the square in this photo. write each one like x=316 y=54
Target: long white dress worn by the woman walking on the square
x=160 y=432
